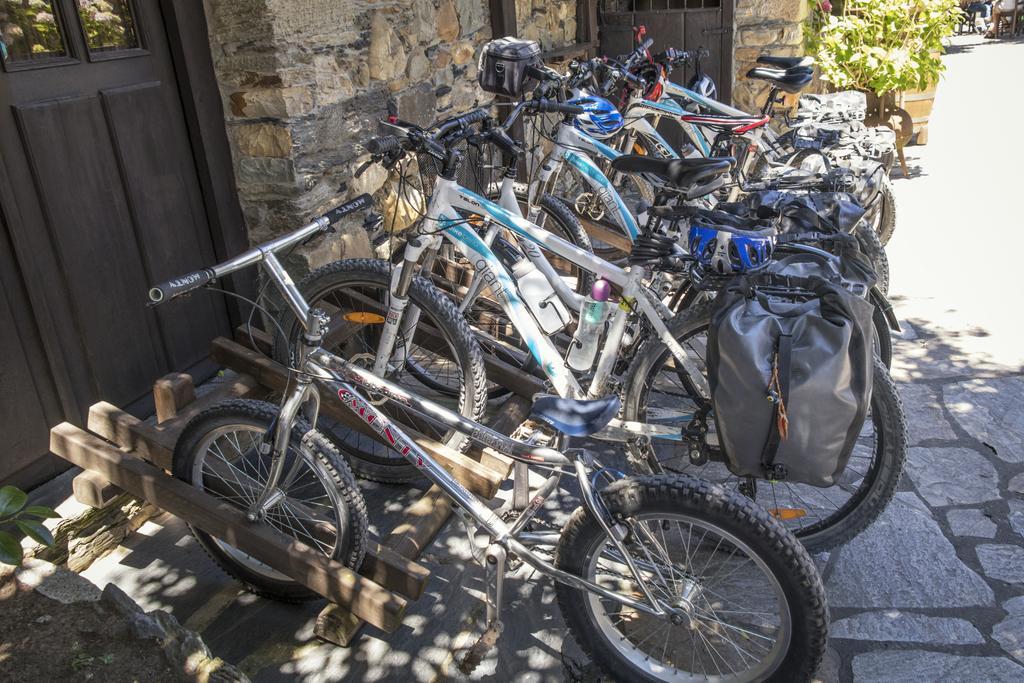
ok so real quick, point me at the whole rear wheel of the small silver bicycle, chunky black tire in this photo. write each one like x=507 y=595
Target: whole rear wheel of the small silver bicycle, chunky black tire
x=745 y=600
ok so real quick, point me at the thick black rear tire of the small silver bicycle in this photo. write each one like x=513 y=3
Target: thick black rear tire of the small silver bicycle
x=786 y=560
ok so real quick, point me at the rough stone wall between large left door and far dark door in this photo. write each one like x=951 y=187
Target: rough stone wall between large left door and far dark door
x=305 y=82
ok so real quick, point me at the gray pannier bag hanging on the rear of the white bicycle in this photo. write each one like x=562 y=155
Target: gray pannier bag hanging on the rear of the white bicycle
x=790 y=364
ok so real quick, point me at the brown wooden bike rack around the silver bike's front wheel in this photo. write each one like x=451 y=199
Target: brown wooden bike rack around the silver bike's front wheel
x=120 y=453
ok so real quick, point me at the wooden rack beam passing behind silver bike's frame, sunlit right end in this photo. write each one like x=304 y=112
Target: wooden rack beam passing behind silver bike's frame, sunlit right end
x=482 y=481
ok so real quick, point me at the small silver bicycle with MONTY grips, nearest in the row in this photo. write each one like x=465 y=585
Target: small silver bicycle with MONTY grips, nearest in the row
x=658 y=577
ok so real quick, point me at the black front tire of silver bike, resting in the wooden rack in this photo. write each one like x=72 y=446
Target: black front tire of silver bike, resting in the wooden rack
x=352 y=514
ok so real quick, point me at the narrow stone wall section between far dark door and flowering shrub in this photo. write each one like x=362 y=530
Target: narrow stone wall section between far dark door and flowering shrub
x=775 y=27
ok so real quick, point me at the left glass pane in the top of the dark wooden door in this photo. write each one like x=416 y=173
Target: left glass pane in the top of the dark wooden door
x=29 y=31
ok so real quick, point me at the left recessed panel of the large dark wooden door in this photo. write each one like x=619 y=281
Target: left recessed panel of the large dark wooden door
x=76 y=179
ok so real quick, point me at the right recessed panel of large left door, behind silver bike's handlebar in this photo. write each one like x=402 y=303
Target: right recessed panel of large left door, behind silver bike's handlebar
x=167 y=210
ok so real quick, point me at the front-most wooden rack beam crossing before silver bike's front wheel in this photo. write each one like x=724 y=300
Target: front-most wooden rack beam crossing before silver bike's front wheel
x=326 y=577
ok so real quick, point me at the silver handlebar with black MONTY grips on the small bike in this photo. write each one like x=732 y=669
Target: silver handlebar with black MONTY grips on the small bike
x=191 y=282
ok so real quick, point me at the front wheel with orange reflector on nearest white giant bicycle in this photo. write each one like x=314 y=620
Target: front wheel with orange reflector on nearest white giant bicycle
x=440 y=360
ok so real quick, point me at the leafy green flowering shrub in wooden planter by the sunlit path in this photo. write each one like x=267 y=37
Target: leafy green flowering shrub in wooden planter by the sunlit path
x=890 y=50
